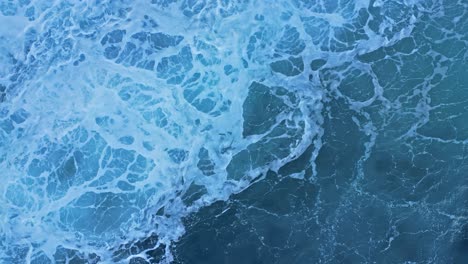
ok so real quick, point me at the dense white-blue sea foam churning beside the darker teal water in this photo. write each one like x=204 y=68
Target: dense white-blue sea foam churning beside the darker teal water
x=119 y=119
